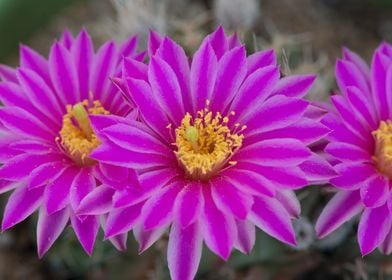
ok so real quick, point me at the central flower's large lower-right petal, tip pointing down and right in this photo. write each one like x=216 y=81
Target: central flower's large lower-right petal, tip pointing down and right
x=270 y=216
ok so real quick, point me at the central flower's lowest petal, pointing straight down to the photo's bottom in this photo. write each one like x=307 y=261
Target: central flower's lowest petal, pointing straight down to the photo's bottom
x=184 y=251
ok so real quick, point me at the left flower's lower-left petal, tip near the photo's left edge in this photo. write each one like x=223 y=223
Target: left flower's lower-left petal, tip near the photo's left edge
x=21 y=204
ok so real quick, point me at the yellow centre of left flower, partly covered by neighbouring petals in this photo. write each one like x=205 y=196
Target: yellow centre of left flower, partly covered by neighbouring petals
x=77 y=137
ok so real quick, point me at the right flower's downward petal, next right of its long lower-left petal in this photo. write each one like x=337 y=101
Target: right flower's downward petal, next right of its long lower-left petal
x=373 y=228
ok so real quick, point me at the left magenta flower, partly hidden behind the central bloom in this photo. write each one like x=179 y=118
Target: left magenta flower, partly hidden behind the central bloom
x=47 y=137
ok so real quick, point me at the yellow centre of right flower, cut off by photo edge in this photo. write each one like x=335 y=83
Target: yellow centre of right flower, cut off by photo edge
x=383 y=148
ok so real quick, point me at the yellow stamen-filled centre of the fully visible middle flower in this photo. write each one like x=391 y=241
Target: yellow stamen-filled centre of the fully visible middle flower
x=205 y=144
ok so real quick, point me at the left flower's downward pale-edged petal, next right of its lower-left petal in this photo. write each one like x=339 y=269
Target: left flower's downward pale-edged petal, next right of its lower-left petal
x=49 y=228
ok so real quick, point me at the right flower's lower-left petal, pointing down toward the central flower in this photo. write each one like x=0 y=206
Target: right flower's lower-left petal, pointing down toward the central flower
x=342 y=207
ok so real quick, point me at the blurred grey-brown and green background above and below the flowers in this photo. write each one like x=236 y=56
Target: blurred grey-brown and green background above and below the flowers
x=307 y=36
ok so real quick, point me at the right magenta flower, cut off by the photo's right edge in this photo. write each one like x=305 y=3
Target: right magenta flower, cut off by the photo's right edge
x=361 y=143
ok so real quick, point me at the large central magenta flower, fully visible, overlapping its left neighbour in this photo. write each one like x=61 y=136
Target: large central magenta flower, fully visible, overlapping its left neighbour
x=222 y=147
